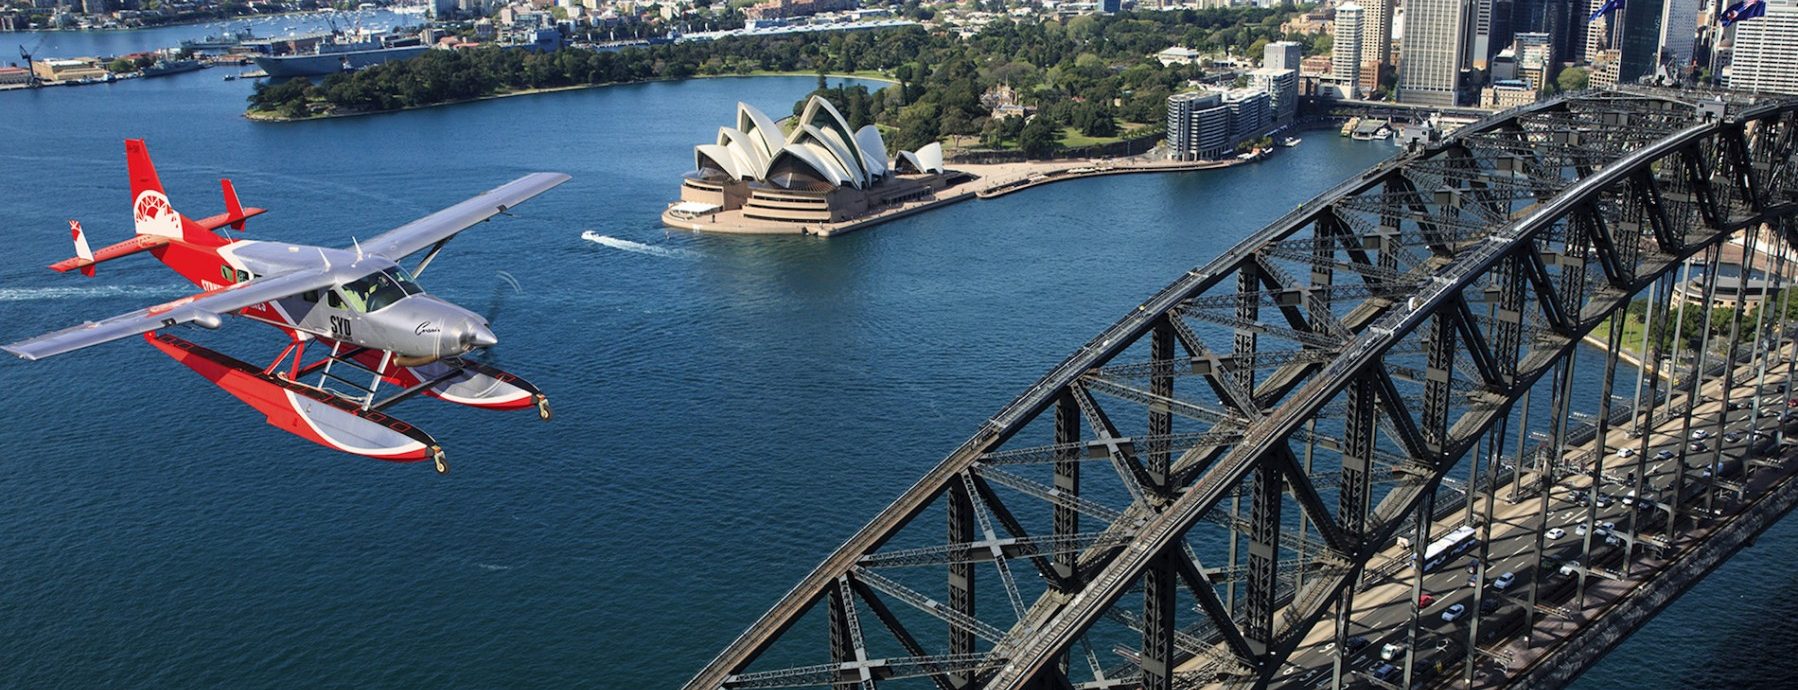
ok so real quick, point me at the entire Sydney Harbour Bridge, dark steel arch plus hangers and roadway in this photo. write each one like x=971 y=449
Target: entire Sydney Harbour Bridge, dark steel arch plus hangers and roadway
x=1402 y=438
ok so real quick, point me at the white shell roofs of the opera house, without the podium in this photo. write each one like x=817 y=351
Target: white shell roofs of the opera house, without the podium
x=819 y=154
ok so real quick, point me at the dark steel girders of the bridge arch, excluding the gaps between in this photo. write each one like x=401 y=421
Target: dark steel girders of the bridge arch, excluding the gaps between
x=1650 y=186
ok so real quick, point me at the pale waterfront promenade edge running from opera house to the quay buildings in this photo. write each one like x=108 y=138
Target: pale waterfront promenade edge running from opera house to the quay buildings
x=990 y=182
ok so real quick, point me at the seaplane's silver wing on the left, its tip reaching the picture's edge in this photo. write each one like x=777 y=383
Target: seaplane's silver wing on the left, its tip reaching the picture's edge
x=204 y=308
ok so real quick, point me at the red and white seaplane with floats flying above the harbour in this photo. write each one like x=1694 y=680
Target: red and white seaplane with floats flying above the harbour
x=373 y=317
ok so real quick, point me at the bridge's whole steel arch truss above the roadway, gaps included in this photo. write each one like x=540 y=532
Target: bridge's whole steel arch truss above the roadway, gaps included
x=1188 y=495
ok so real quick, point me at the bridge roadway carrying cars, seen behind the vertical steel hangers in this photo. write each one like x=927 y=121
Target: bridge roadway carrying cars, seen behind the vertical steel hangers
x=1384 y=612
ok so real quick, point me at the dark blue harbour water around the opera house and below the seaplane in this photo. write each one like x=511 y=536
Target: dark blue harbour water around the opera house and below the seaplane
x=729 y=409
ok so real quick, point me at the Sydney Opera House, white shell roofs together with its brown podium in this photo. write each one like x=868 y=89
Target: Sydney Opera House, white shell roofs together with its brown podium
x=763 y=179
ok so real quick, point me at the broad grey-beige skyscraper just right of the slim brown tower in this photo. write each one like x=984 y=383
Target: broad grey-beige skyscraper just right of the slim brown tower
x=1436 y=51
